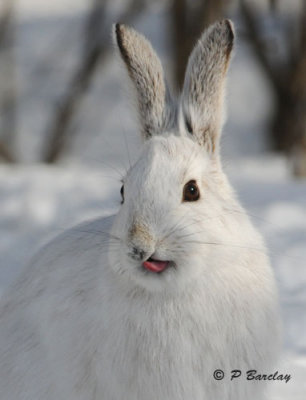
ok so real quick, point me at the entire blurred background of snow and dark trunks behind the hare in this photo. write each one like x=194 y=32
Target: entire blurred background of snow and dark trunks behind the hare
x=68 y=126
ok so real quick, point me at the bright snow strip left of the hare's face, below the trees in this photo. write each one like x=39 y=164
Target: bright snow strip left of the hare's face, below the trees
x=39 y=202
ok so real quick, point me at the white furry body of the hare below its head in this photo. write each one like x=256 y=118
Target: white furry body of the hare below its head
x=73 y=332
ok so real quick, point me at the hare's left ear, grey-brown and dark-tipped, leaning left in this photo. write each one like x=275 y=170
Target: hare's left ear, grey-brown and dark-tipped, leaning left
x=147 y=75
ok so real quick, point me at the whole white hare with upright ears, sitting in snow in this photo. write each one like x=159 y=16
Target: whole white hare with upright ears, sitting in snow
x=148 y=303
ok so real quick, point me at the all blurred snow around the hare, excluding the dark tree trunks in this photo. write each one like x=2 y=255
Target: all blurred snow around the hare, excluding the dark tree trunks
x=39 y=201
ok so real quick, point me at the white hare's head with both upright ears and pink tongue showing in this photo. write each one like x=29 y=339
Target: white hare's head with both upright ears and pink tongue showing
x=173 y=198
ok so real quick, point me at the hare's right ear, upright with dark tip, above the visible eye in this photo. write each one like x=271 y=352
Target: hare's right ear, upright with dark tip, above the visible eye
x=201 y=108
